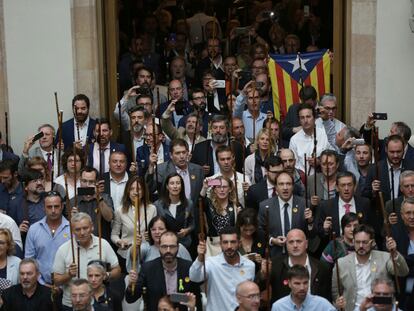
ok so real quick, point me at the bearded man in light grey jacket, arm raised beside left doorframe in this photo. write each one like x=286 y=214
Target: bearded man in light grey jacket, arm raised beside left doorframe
x=144 y=86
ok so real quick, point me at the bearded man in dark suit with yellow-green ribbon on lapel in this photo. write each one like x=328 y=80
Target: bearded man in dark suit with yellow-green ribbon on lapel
x=165 y=275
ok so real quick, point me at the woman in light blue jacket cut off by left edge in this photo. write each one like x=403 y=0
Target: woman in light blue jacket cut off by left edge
x=9 y=264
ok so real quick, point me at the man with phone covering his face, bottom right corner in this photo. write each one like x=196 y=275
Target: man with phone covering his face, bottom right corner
x=382 y=297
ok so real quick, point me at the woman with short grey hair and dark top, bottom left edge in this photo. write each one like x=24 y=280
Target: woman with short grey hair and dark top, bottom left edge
x=104 y=298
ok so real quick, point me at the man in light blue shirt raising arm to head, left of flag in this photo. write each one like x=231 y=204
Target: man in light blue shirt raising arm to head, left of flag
x=252 y=117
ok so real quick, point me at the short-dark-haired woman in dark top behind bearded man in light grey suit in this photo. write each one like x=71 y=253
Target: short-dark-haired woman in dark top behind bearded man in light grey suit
x=344 y=244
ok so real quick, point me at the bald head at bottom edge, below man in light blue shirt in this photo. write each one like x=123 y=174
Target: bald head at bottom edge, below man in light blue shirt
x=248 y=296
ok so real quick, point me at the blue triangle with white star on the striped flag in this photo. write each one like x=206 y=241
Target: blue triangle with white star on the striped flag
x=290 y=63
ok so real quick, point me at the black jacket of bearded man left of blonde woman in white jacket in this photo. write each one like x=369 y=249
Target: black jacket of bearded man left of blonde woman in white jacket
x=203 y=155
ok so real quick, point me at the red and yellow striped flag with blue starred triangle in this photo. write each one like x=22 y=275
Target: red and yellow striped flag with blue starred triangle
x=286 y=72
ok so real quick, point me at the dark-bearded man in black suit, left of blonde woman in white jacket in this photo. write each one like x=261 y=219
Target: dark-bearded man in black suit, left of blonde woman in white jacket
x=205 y=152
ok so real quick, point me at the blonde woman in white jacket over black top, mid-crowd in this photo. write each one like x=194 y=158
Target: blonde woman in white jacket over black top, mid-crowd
x=254 y=163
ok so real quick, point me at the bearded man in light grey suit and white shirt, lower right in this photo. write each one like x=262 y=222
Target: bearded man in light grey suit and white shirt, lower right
x=358 y=270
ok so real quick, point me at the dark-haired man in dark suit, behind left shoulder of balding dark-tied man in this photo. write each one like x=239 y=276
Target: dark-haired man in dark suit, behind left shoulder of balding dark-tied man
x=266 y=188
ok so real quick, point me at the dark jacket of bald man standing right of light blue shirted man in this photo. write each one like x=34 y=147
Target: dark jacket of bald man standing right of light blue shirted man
x=320 y=278
